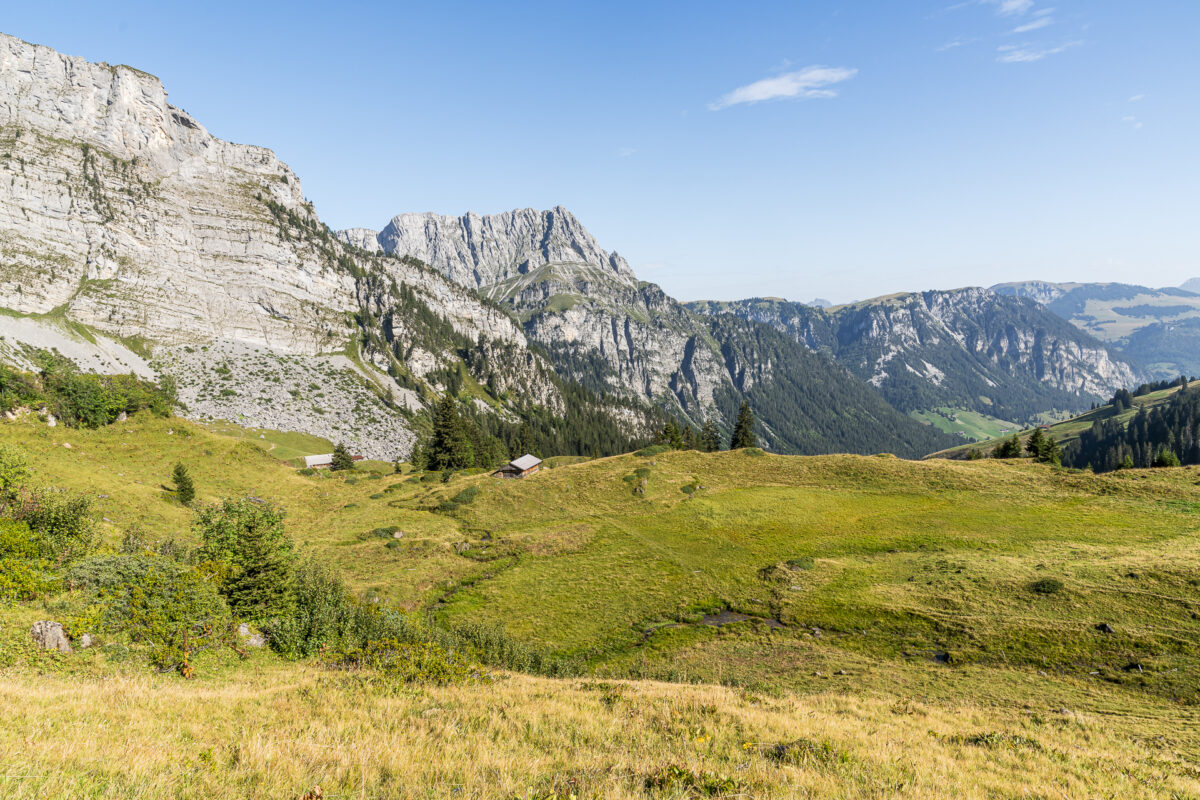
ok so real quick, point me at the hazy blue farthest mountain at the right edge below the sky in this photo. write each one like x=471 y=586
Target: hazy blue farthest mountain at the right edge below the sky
x=1157 y=329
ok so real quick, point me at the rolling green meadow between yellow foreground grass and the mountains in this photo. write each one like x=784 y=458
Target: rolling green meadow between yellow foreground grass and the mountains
x=889 y=578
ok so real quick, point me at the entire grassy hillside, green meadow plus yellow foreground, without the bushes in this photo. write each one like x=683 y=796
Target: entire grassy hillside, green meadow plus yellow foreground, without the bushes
x=911 y=628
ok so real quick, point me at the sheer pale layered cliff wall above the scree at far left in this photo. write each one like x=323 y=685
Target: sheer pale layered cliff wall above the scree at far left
x=128 y=212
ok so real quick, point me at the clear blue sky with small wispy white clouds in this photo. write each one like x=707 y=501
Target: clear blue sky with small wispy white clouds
x=727 y=149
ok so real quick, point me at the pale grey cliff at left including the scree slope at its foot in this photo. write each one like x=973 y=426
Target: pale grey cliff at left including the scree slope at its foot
x=123 y=212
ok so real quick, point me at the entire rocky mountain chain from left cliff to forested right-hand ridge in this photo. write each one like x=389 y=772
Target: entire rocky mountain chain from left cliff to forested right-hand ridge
x=131 y=239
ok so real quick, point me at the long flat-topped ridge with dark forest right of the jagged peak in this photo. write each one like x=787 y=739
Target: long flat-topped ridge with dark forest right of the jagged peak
x=970 y=348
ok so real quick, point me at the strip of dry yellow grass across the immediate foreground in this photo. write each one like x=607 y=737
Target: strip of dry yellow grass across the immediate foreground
x=275 y=731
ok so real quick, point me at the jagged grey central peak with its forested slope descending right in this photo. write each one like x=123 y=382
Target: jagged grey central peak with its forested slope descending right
x=622 y=338
